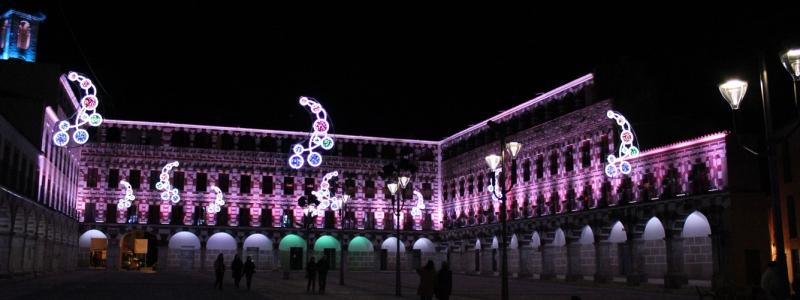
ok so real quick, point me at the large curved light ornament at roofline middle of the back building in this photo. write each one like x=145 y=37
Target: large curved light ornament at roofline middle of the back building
x=319 y=137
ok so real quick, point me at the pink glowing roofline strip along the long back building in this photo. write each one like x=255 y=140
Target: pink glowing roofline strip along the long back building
x=266 y=131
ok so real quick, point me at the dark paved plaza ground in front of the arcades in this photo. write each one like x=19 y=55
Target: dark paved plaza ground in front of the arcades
x=175 y=286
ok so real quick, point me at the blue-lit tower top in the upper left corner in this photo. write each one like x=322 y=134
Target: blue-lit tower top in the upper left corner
x=18 y=35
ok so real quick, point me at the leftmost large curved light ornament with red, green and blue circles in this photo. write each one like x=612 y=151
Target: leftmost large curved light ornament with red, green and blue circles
x=87 y=114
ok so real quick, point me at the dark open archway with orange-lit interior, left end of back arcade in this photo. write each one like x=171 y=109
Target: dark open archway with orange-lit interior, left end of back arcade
x=138 y=251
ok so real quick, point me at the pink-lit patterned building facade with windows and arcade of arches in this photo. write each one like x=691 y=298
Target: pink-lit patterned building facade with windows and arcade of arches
x=568 y=220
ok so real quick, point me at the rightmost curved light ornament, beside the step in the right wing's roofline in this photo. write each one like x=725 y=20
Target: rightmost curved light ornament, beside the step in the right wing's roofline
x=628 y=149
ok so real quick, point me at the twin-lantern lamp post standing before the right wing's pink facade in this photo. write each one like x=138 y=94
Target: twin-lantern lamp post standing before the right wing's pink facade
x=497 y=164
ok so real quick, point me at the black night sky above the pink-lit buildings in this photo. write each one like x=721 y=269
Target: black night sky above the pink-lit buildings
x=417 y=72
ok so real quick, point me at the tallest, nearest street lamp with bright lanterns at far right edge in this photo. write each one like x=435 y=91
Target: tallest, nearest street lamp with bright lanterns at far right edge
x=733 y=92
